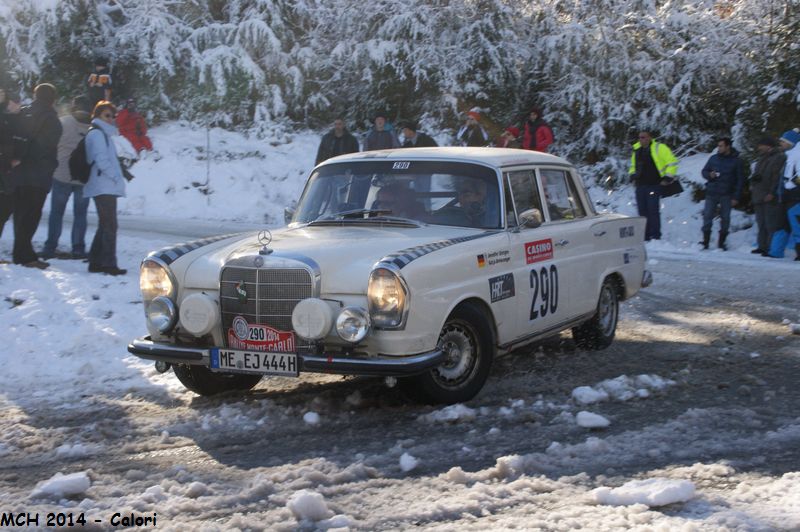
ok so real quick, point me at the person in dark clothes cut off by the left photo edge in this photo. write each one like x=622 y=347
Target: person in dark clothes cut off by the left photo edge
x=9 y=141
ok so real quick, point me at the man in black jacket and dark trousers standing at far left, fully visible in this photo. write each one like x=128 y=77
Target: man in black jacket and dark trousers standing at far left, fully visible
x=33 y=177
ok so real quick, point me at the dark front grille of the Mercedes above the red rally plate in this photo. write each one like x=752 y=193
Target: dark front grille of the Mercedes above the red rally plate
x=272 y=294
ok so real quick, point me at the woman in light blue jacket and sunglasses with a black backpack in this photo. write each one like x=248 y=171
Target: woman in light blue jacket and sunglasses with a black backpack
x=106 y=183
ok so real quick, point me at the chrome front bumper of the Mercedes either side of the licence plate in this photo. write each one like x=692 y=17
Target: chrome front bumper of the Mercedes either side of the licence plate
x=381 y=366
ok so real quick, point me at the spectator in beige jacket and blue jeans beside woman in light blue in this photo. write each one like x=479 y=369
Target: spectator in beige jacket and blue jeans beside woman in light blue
x=75 y=125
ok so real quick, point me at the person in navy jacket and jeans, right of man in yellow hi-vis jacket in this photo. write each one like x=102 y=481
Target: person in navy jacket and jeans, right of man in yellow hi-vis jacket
x=724 y=175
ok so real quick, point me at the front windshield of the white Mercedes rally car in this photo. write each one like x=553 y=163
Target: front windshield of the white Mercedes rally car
x=431 y=192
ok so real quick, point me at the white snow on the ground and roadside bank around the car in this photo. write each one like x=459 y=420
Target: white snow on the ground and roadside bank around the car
x=66 y=332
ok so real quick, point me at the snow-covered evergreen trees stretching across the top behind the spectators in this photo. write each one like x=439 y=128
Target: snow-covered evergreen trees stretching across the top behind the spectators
x=601 y=69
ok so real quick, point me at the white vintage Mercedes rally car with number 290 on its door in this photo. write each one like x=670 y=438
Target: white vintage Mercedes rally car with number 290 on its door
x=422 y=264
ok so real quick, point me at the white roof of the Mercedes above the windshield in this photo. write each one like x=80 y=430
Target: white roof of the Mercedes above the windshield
x=491 y=156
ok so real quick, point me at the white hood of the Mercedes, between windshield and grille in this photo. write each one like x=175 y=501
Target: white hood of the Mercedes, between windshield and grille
x=345 y=254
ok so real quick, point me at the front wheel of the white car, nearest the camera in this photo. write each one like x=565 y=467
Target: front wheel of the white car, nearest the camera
x=469 y=340
